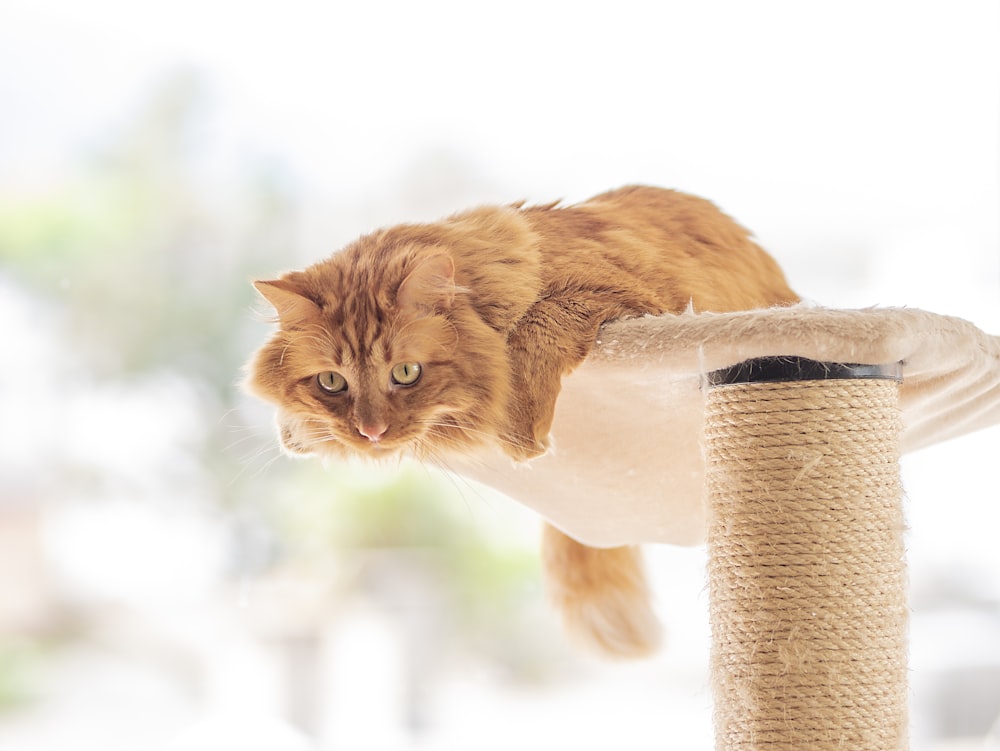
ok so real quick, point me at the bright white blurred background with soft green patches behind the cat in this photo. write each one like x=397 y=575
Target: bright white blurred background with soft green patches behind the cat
x=170 y=582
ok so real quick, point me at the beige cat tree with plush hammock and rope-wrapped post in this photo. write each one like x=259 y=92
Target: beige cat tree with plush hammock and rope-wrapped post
x=776 y=435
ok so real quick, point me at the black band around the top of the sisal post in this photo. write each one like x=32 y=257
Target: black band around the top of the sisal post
x=784 y=369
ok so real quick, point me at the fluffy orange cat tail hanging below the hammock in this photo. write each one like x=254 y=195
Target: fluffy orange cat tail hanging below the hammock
x=602 y=595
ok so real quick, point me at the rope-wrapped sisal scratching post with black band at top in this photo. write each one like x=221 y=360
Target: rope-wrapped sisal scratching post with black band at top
x=806 y=563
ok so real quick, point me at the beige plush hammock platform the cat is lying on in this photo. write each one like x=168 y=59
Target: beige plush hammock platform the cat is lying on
x=627 y=465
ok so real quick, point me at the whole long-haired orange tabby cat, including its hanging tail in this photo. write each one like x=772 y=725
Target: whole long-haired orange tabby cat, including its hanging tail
x=430 y=339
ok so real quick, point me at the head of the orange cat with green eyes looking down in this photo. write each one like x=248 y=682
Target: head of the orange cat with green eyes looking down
x=380 y=353
